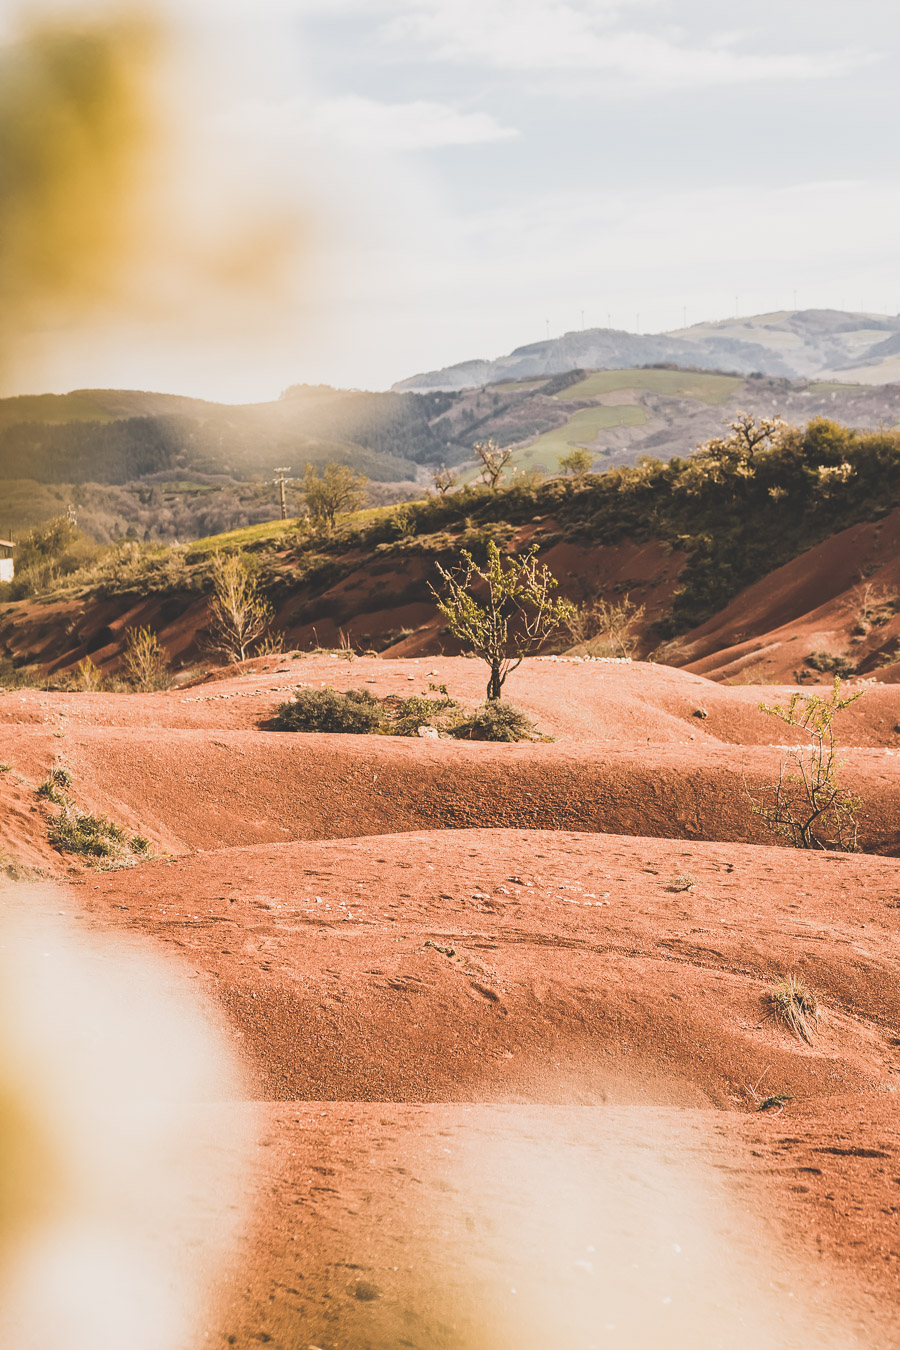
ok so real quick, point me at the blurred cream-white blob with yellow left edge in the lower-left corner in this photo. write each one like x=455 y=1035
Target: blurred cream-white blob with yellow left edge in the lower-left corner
x=121 y=1143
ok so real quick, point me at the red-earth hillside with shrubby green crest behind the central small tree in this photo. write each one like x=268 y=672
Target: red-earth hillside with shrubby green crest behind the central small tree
x=785 y=558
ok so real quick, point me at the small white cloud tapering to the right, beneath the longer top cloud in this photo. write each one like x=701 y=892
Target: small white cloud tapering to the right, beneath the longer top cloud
x=365 y=124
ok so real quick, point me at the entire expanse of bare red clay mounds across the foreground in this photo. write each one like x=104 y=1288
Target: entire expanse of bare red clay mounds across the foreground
x=508 y=1010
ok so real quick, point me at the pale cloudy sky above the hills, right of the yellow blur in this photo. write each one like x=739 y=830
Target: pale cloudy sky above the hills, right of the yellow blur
x=470 y=172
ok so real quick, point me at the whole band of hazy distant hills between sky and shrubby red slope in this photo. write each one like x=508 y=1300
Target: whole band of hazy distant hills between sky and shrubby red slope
x=164 y=468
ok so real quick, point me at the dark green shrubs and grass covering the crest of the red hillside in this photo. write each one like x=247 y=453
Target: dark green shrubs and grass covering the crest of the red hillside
x=739 y=507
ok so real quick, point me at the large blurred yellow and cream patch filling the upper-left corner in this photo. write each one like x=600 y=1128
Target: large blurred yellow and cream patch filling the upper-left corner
x=138 y=217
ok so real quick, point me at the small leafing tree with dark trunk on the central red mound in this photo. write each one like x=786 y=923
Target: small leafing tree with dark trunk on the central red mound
x=516 y=618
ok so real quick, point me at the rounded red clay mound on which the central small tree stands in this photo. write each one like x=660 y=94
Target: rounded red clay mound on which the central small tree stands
x=195 y=770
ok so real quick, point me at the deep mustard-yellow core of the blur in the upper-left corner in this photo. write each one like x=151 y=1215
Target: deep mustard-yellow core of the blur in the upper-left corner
x=78 y=133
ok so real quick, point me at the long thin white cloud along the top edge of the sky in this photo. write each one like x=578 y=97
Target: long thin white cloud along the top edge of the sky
x=593 y=36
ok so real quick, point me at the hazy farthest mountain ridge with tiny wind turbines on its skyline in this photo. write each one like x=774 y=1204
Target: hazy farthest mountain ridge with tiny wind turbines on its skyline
x=794 y=345
